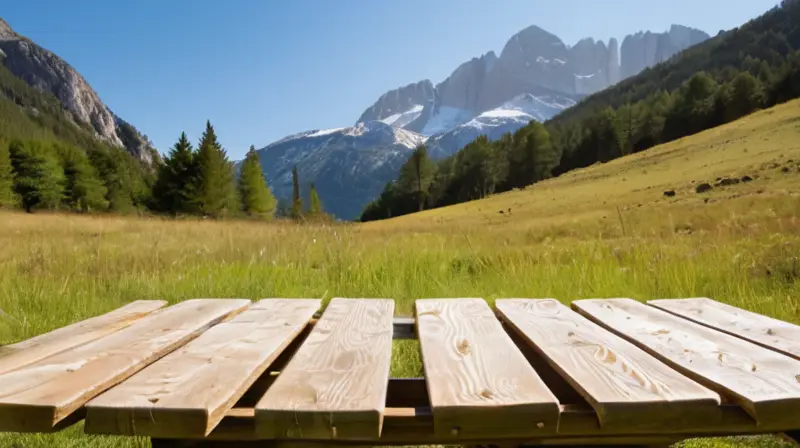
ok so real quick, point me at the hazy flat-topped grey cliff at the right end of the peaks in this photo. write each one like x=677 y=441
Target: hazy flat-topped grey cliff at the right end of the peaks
x=643 y=50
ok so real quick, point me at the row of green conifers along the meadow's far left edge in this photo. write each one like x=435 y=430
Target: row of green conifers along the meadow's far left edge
x=52 y=175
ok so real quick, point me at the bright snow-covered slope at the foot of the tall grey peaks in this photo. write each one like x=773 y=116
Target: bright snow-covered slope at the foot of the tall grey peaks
x=509 y=117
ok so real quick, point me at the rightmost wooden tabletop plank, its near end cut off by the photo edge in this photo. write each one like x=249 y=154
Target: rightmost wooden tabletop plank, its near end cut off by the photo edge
x=774 y=334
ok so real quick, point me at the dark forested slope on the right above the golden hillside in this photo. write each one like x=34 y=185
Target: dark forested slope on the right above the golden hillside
x=754 y=66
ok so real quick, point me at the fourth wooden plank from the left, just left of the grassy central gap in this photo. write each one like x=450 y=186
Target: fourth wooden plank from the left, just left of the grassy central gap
x=335 y=385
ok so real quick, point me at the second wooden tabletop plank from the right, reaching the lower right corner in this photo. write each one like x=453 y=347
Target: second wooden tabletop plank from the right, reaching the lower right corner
x=765 y=383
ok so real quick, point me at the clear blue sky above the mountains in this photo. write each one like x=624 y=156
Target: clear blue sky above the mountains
x=264 y=69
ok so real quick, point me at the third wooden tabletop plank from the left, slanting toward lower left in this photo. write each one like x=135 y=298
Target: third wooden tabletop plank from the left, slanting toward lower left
x=186 y=393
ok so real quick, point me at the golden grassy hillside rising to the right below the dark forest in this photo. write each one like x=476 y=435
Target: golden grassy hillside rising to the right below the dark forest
x=764 y=146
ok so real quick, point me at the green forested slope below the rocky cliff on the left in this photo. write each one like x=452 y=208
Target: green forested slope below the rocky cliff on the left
x=60 y=164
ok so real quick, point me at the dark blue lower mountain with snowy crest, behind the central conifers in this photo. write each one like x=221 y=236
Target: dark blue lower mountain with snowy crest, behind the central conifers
x=349 y=166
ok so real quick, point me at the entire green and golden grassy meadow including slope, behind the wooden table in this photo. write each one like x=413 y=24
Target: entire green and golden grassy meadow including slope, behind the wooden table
x=604 y=231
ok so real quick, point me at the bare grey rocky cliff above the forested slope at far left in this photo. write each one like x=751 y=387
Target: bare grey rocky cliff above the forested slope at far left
x=47 y=72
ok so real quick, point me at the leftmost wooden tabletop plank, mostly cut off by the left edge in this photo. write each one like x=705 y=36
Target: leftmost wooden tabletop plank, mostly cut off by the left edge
x=31 y=350
